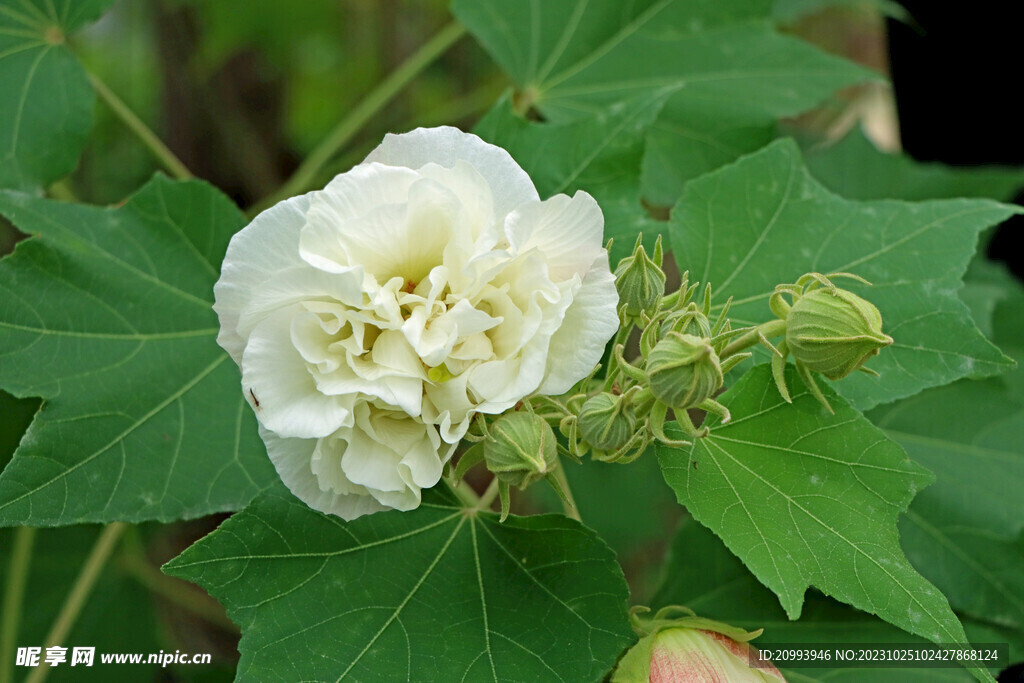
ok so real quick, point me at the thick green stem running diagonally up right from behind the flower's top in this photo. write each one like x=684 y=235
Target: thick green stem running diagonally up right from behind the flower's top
x=364 y=112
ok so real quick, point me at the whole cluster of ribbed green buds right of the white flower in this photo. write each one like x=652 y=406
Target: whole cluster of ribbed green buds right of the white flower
x=681 y=367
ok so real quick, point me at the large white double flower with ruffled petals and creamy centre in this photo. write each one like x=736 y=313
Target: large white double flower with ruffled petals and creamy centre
x=371 y=320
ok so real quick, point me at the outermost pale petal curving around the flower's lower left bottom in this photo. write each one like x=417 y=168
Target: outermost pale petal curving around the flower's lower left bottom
x=292 y=458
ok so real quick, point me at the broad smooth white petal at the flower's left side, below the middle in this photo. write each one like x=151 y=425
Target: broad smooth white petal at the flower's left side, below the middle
x=276 y=374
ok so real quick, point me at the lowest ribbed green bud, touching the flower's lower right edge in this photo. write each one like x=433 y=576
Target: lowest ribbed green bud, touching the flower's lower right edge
x=521 y=449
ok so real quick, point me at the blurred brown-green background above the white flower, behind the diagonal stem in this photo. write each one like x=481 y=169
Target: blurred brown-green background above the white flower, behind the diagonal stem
x=242 y=92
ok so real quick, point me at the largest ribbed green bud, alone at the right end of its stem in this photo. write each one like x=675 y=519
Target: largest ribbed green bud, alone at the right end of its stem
x=834 y=333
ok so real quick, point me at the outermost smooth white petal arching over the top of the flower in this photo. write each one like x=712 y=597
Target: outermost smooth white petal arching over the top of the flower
x=446 y=146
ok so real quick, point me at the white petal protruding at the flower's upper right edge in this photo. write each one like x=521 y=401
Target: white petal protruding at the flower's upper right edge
x=569 y=232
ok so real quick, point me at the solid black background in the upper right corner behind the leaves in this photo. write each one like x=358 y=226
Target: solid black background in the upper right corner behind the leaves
x=957 y=74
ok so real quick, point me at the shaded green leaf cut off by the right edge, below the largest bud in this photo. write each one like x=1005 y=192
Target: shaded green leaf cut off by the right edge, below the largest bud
x=965 y=533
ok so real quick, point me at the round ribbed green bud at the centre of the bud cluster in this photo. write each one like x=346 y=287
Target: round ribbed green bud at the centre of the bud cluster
x=684 y=371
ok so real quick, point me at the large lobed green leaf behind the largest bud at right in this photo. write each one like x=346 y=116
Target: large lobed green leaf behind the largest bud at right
x=764 y=221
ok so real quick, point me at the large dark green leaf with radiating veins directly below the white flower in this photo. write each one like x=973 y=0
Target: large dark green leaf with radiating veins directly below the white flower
x=438 y=594
